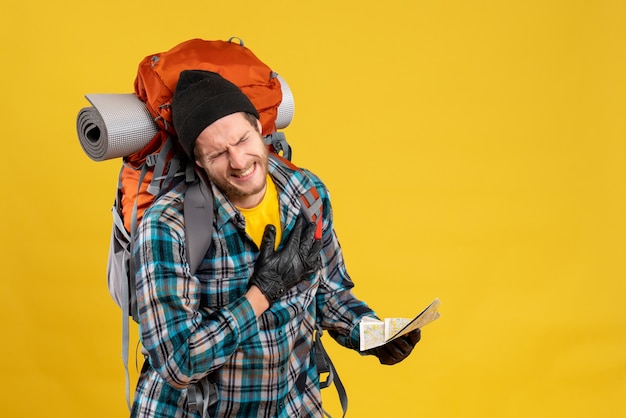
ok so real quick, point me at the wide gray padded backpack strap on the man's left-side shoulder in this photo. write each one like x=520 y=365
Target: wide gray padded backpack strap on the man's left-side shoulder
x=198 y=215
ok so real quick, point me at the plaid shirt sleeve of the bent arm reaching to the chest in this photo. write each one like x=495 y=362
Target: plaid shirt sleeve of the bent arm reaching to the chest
x=184 y=345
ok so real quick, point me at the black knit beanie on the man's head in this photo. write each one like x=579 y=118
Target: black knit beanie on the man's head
x=201 y=98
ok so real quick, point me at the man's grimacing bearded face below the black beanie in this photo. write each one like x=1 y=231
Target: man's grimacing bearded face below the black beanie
x=233 y=154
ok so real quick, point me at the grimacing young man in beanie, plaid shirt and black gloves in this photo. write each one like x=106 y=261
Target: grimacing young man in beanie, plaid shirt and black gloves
x=247 y=317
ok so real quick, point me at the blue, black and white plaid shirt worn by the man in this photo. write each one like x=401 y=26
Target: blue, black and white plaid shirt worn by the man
x=198 y=325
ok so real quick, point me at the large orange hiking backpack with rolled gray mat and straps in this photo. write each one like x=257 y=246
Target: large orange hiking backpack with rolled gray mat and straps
x=155 y=164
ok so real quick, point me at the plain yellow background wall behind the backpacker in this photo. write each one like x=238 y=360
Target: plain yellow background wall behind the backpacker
x=475 y=152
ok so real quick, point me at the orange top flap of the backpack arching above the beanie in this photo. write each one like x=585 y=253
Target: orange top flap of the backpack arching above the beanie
x=157 y=76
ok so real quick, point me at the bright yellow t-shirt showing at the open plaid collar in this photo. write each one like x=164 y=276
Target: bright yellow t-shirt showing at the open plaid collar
x=265 y=213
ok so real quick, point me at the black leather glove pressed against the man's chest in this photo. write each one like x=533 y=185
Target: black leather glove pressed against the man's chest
x=277 y=271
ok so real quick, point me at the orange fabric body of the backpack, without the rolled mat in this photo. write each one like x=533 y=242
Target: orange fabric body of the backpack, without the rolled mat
x=151 y=170
